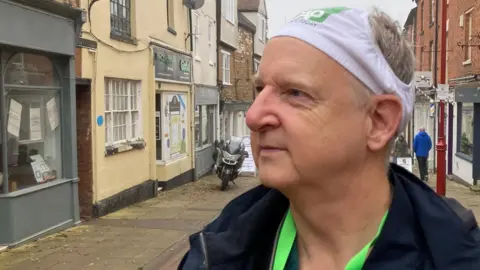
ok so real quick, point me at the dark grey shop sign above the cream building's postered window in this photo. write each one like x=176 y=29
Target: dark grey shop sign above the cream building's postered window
x=170 y=65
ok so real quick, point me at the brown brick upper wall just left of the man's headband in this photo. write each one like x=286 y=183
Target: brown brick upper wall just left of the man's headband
x=241 y=69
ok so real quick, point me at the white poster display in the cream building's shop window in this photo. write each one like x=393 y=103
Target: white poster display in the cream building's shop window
x=175 y=132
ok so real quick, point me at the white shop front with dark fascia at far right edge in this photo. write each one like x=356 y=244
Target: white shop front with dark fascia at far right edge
x=466 y=160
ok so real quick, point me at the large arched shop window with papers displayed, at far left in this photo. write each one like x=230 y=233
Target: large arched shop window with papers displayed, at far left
x=34 y=146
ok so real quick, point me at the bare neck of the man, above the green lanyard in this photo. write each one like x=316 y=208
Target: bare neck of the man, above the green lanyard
x=335 y=223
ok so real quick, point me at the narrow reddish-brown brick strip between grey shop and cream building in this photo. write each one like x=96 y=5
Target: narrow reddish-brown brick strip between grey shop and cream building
x=84 y=154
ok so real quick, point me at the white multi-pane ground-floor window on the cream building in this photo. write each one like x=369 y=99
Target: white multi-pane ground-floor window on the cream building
x=133 y=97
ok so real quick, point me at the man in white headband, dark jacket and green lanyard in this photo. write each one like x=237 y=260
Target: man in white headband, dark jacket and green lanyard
x=334 y=88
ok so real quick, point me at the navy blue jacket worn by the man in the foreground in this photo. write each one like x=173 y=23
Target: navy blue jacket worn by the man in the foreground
x=423 y=231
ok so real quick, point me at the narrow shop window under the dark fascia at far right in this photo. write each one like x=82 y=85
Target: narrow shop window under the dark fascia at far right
x=466 y=129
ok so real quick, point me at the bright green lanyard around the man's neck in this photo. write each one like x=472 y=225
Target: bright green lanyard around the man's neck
x=286 y=239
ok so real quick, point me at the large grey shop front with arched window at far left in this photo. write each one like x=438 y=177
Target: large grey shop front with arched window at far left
x=38 y=159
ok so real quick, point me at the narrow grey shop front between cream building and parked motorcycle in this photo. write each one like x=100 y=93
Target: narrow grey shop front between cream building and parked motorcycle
x=206 y=99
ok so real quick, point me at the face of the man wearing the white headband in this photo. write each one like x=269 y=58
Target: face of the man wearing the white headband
x=307 y=122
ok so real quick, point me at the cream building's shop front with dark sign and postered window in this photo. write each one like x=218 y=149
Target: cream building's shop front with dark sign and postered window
x=173 y=114
